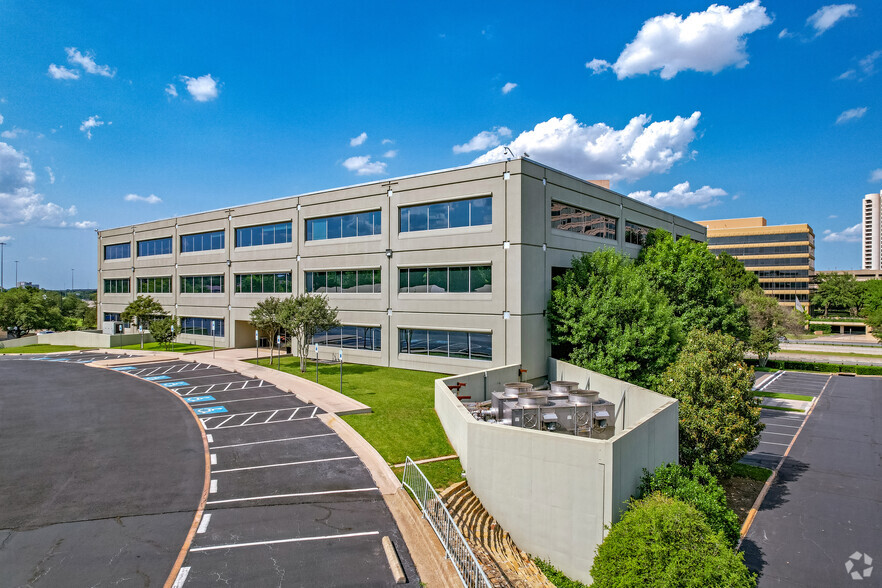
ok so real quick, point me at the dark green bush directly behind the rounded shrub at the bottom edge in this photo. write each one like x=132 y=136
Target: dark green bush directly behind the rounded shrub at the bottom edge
x=697 y=487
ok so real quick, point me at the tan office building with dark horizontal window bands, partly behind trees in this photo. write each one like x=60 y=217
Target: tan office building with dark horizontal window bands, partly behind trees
x=781 y=256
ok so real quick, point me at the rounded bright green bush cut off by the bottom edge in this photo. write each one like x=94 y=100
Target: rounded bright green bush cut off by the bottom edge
x=664 y=542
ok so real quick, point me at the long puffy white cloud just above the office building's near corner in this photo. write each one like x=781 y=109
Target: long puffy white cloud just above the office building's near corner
x=602 y=152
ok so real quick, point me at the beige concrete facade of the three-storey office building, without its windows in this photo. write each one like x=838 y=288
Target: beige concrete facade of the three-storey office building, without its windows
x=520 y=246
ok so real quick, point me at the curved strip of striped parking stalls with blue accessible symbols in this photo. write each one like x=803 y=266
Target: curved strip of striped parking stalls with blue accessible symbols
x=289 y=503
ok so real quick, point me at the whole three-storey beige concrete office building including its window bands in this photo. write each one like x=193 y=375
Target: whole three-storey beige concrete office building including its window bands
x=447 y=271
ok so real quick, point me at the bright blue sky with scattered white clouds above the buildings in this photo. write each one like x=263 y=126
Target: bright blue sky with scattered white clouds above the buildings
x=114 y=114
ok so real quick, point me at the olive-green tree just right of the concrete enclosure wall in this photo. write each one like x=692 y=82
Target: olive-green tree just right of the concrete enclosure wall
x=719 y=415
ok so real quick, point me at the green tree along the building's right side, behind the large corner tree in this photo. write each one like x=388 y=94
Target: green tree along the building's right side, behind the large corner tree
x=688 y=274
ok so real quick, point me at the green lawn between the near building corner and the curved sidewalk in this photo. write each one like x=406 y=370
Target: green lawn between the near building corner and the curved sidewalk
x=403 y=422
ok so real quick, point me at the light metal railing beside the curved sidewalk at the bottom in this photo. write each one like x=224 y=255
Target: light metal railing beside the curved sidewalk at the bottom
x=458 y=551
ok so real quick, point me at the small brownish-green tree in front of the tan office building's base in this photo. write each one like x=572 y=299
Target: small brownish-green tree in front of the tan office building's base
x=768 y=322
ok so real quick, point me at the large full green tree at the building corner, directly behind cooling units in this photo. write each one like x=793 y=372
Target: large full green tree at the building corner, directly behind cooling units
x=612 y=319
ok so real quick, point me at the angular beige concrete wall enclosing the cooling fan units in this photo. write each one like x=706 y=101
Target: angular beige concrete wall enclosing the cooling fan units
x=554 y=493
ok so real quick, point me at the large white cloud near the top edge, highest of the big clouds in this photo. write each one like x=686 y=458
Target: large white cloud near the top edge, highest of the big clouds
x=706 y=41
